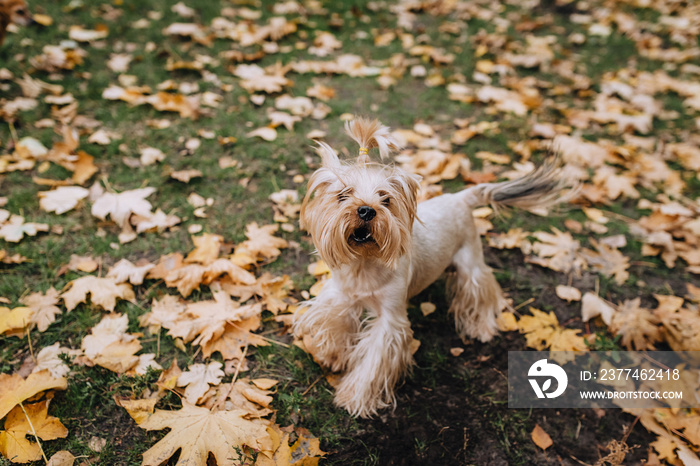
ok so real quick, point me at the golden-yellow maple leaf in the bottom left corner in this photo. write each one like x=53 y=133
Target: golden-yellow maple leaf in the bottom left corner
x=35 y=423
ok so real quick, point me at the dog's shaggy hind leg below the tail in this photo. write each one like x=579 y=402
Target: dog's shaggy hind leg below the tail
x=477 y=298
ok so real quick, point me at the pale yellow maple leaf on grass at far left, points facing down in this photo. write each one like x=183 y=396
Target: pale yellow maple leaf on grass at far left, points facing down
x=104 y=292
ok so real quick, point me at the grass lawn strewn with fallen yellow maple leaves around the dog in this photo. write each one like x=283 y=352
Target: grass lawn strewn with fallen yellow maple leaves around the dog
x=180 y=137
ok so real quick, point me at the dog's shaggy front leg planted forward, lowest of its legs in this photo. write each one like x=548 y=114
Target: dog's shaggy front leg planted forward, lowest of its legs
x=381 y=356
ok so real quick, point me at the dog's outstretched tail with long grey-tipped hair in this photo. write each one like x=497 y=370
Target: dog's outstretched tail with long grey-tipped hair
x=544 y=187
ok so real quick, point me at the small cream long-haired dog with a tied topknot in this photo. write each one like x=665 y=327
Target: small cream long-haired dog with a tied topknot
x=383 y=248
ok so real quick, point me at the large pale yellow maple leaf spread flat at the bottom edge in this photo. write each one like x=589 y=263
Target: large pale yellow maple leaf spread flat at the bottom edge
x=198 y=432
